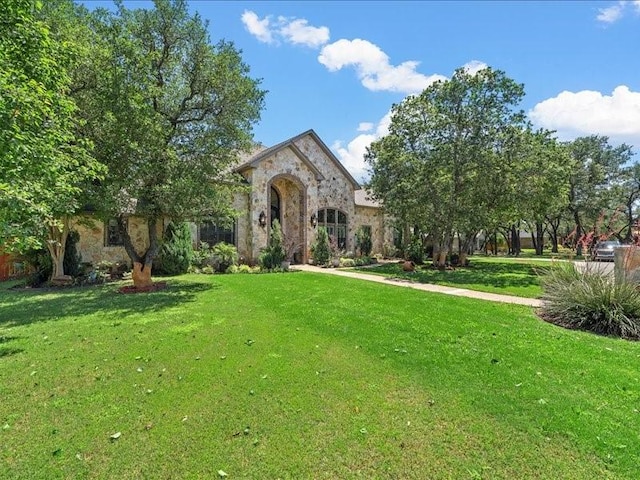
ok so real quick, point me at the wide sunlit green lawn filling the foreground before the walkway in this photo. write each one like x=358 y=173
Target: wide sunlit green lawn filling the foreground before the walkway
x=306 y=375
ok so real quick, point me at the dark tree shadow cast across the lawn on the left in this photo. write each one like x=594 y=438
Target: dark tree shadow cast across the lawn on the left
x=22 y=307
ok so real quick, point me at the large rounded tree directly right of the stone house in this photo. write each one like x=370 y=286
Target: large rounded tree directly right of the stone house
x=445 y=155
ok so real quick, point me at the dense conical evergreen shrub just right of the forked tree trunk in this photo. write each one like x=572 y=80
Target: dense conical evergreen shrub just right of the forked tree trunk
x=176 y=253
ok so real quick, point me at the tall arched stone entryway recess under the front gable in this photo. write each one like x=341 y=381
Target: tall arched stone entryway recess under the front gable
x=287 y=198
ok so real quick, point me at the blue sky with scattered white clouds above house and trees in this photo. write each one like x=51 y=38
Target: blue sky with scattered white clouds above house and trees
x=339 y=66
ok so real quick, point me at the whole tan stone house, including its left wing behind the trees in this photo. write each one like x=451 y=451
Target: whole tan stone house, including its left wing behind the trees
x=299 y=182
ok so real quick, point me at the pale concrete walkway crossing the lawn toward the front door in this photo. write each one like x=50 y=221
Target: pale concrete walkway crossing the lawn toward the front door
x=427 y=287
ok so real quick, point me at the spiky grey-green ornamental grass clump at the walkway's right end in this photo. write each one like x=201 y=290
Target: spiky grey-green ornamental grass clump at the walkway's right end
x=591 y=300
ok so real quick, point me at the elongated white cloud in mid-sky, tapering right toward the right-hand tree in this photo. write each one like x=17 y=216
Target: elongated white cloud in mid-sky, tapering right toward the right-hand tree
x=373 y=68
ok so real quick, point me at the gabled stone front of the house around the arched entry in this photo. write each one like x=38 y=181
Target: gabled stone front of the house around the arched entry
x=306 y=177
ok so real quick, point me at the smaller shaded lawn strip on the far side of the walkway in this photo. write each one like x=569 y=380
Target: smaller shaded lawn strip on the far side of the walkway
x=507 y=276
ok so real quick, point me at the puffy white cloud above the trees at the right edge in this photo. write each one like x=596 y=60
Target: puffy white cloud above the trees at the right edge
x=590 y=112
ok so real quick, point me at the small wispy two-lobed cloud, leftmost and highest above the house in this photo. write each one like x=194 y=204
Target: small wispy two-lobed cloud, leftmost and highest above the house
x=296 y=31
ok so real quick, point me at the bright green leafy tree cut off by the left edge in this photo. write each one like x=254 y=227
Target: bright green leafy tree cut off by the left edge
x=44 y=164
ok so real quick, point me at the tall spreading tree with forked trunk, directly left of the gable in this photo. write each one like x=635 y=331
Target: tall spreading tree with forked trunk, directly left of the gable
x=168 y=112
